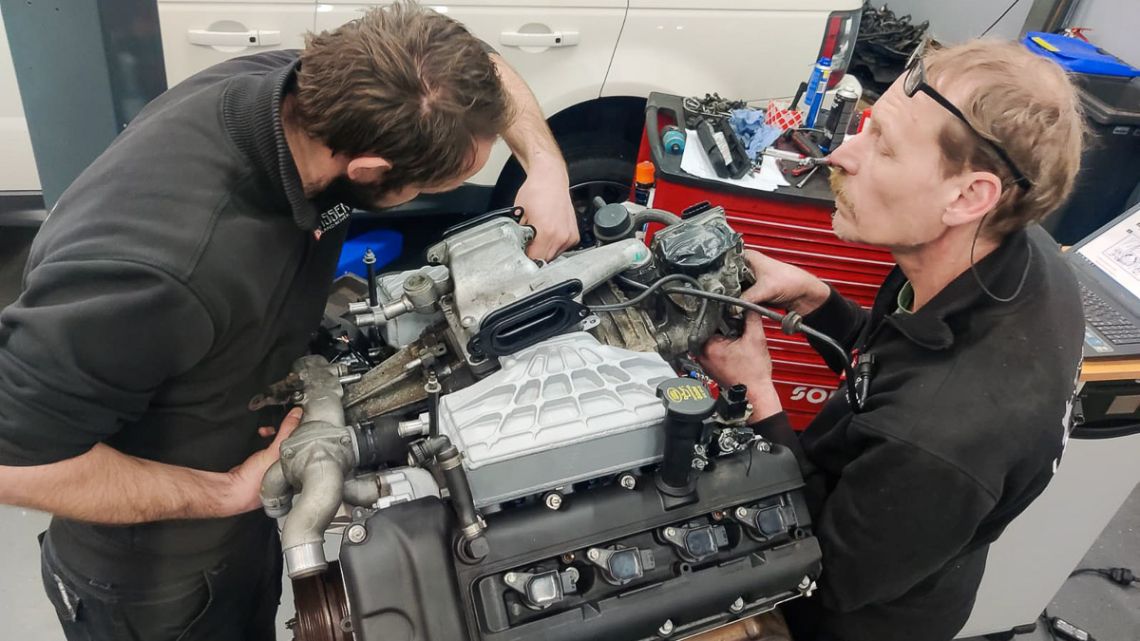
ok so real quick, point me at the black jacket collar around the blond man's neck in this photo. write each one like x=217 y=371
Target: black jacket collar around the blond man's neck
x=932 y=326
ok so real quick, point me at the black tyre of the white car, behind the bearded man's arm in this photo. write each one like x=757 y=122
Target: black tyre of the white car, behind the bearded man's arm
x=597 y=166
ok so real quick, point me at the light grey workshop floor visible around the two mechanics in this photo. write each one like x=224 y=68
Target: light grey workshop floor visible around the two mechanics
x=1105 y=611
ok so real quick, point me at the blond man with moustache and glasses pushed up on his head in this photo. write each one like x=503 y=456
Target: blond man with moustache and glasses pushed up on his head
x=973 y=345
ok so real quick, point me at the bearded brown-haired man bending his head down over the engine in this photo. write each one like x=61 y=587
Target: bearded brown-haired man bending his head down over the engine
x=183 y=273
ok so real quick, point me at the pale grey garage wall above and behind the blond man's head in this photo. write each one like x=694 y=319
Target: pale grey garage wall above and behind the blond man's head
x=1114 y=22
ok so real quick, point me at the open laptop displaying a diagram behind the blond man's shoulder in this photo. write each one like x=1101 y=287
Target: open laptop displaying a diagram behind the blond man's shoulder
x=1108 y=266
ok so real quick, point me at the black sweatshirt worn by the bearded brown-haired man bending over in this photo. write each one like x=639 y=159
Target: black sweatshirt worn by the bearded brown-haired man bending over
x=177 y=278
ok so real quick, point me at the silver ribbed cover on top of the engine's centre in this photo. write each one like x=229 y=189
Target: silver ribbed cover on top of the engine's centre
x=565 y=411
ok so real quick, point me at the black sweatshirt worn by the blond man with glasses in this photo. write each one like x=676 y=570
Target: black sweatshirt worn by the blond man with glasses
x=966 y=421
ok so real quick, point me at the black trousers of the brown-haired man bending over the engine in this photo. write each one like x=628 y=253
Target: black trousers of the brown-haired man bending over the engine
x=235 y=601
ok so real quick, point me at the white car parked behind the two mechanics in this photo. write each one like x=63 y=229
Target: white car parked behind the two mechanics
x=591 y=64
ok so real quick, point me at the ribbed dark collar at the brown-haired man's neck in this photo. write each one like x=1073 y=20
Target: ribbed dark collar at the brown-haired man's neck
x=251 y=112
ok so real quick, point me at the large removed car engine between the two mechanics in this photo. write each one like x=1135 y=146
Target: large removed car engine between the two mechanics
x=524 y=452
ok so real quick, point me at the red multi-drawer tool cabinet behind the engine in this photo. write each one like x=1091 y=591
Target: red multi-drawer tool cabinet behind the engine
x=793 y=225
